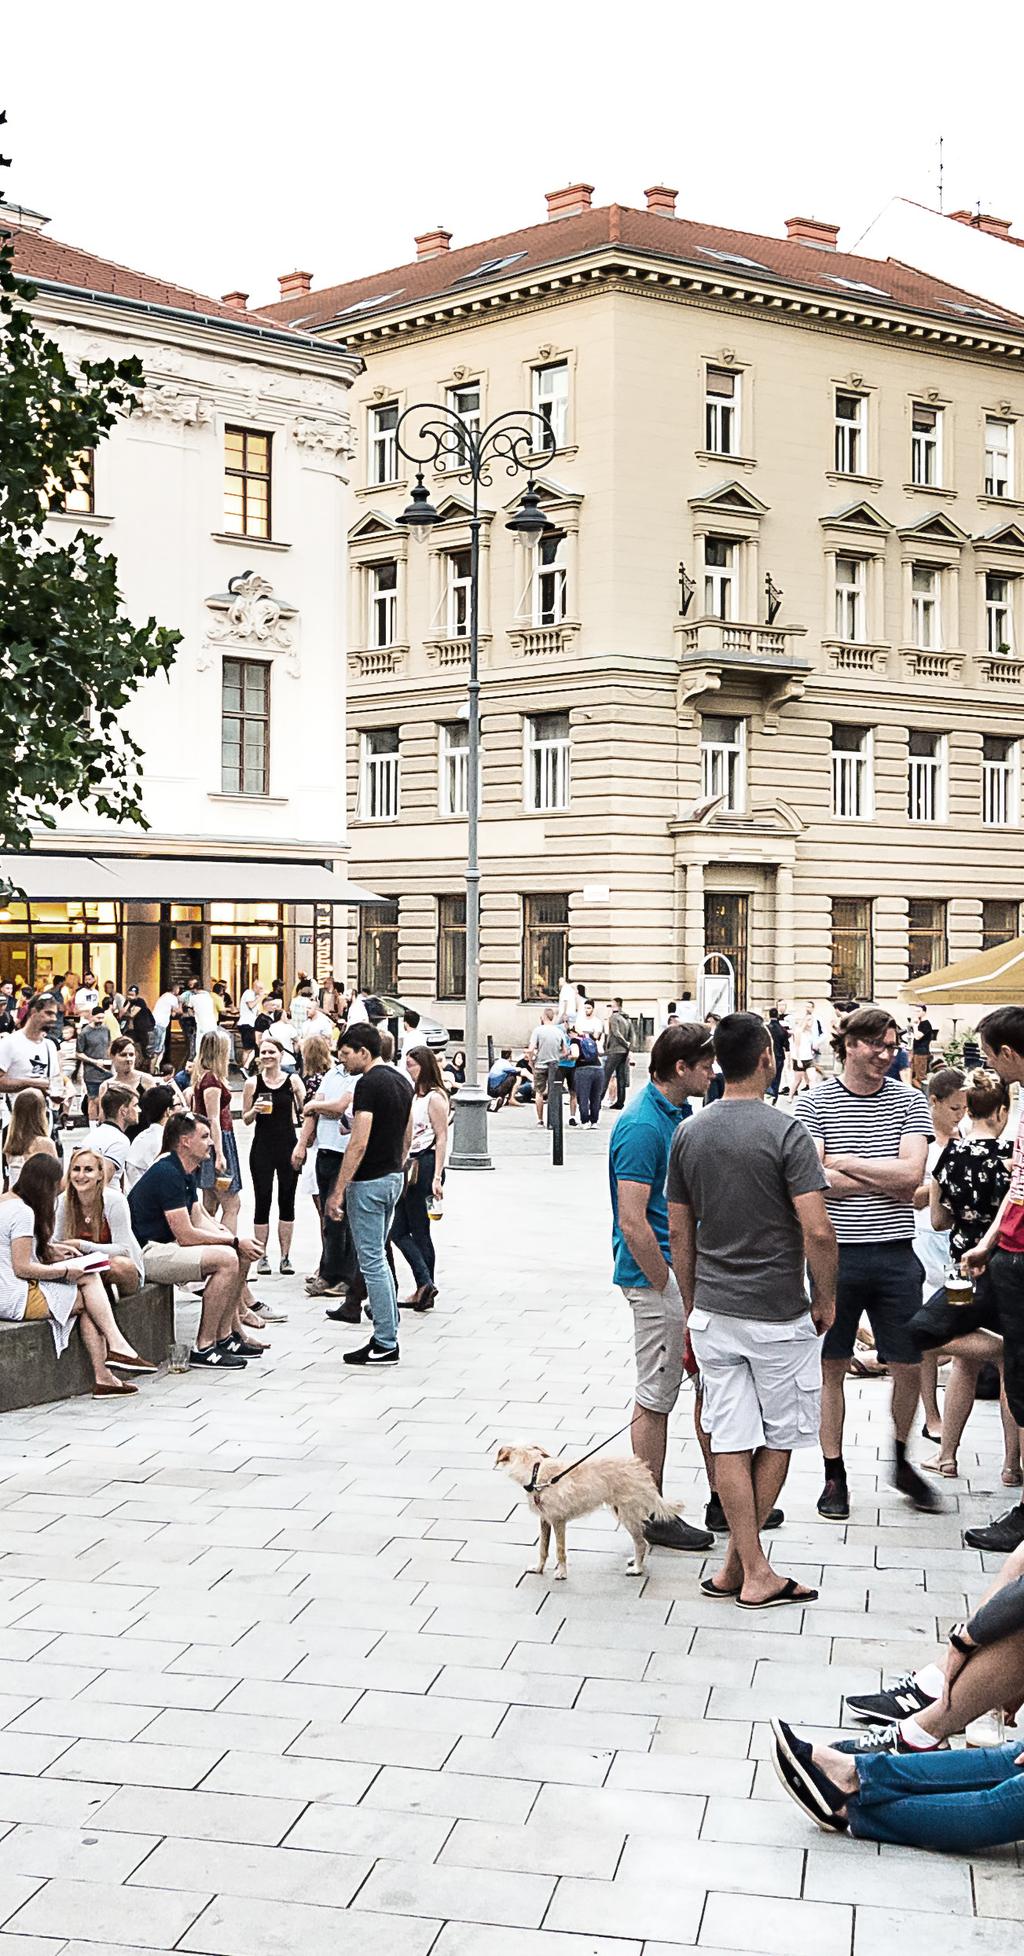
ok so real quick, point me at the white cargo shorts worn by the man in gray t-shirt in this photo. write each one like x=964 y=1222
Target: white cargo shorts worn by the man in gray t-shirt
x=761 y=1382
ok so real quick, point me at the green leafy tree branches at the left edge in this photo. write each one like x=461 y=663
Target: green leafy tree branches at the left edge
x=71 y=658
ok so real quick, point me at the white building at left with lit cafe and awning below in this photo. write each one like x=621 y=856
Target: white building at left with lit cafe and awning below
x=224 y=502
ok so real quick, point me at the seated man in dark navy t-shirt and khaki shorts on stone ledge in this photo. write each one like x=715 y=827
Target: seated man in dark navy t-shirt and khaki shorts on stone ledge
x=185 y=1245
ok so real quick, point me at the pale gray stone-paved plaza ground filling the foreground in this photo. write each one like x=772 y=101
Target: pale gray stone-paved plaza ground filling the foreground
x=273 y=1677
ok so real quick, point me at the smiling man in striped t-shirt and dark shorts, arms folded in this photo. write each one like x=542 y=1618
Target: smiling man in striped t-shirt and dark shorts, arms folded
x=873 y=1137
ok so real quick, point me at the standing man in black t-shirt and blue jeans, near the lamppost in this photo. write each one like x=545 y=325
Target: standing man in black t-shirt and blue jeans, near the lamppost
x=370 y=1180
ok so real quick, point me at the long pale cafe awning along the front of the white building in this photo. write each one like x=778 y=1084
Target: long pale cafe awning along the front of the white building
x=89 y=879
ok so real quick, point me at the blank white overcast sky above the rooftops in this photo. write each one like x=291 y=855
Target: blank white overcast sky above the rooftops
x=228 y=146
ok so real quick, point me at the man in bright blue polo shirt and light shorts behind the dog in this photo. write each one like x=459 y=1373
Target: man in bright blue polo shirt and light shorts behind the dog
x=638 y=1165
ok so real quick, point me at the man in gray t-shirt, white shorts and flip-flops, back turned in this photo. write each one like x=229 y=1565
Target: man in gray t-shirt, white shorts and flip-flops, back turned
x=746 y=1216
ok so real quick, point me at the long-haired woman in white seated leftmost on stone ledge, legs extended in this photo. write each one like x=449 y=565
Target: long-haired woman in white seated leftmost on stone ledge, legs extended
x=42 y=1278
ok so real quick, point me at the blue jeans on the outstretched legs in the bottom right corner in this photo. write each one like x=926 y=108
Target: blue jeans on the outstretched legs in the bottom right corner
x=957 y=1802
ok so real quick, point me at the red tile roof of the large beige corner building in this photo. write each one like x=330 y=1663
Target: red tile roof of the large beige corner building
x=617 y=226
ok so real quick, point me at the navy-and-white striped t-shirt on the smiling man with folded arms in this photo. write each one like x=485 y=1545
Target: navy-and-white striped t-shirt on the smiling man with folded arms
x=871 y=1126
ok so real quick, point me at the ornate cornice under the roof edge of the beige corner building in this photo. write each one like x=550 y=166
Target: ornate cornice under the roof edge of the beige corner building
x=636 y=271
